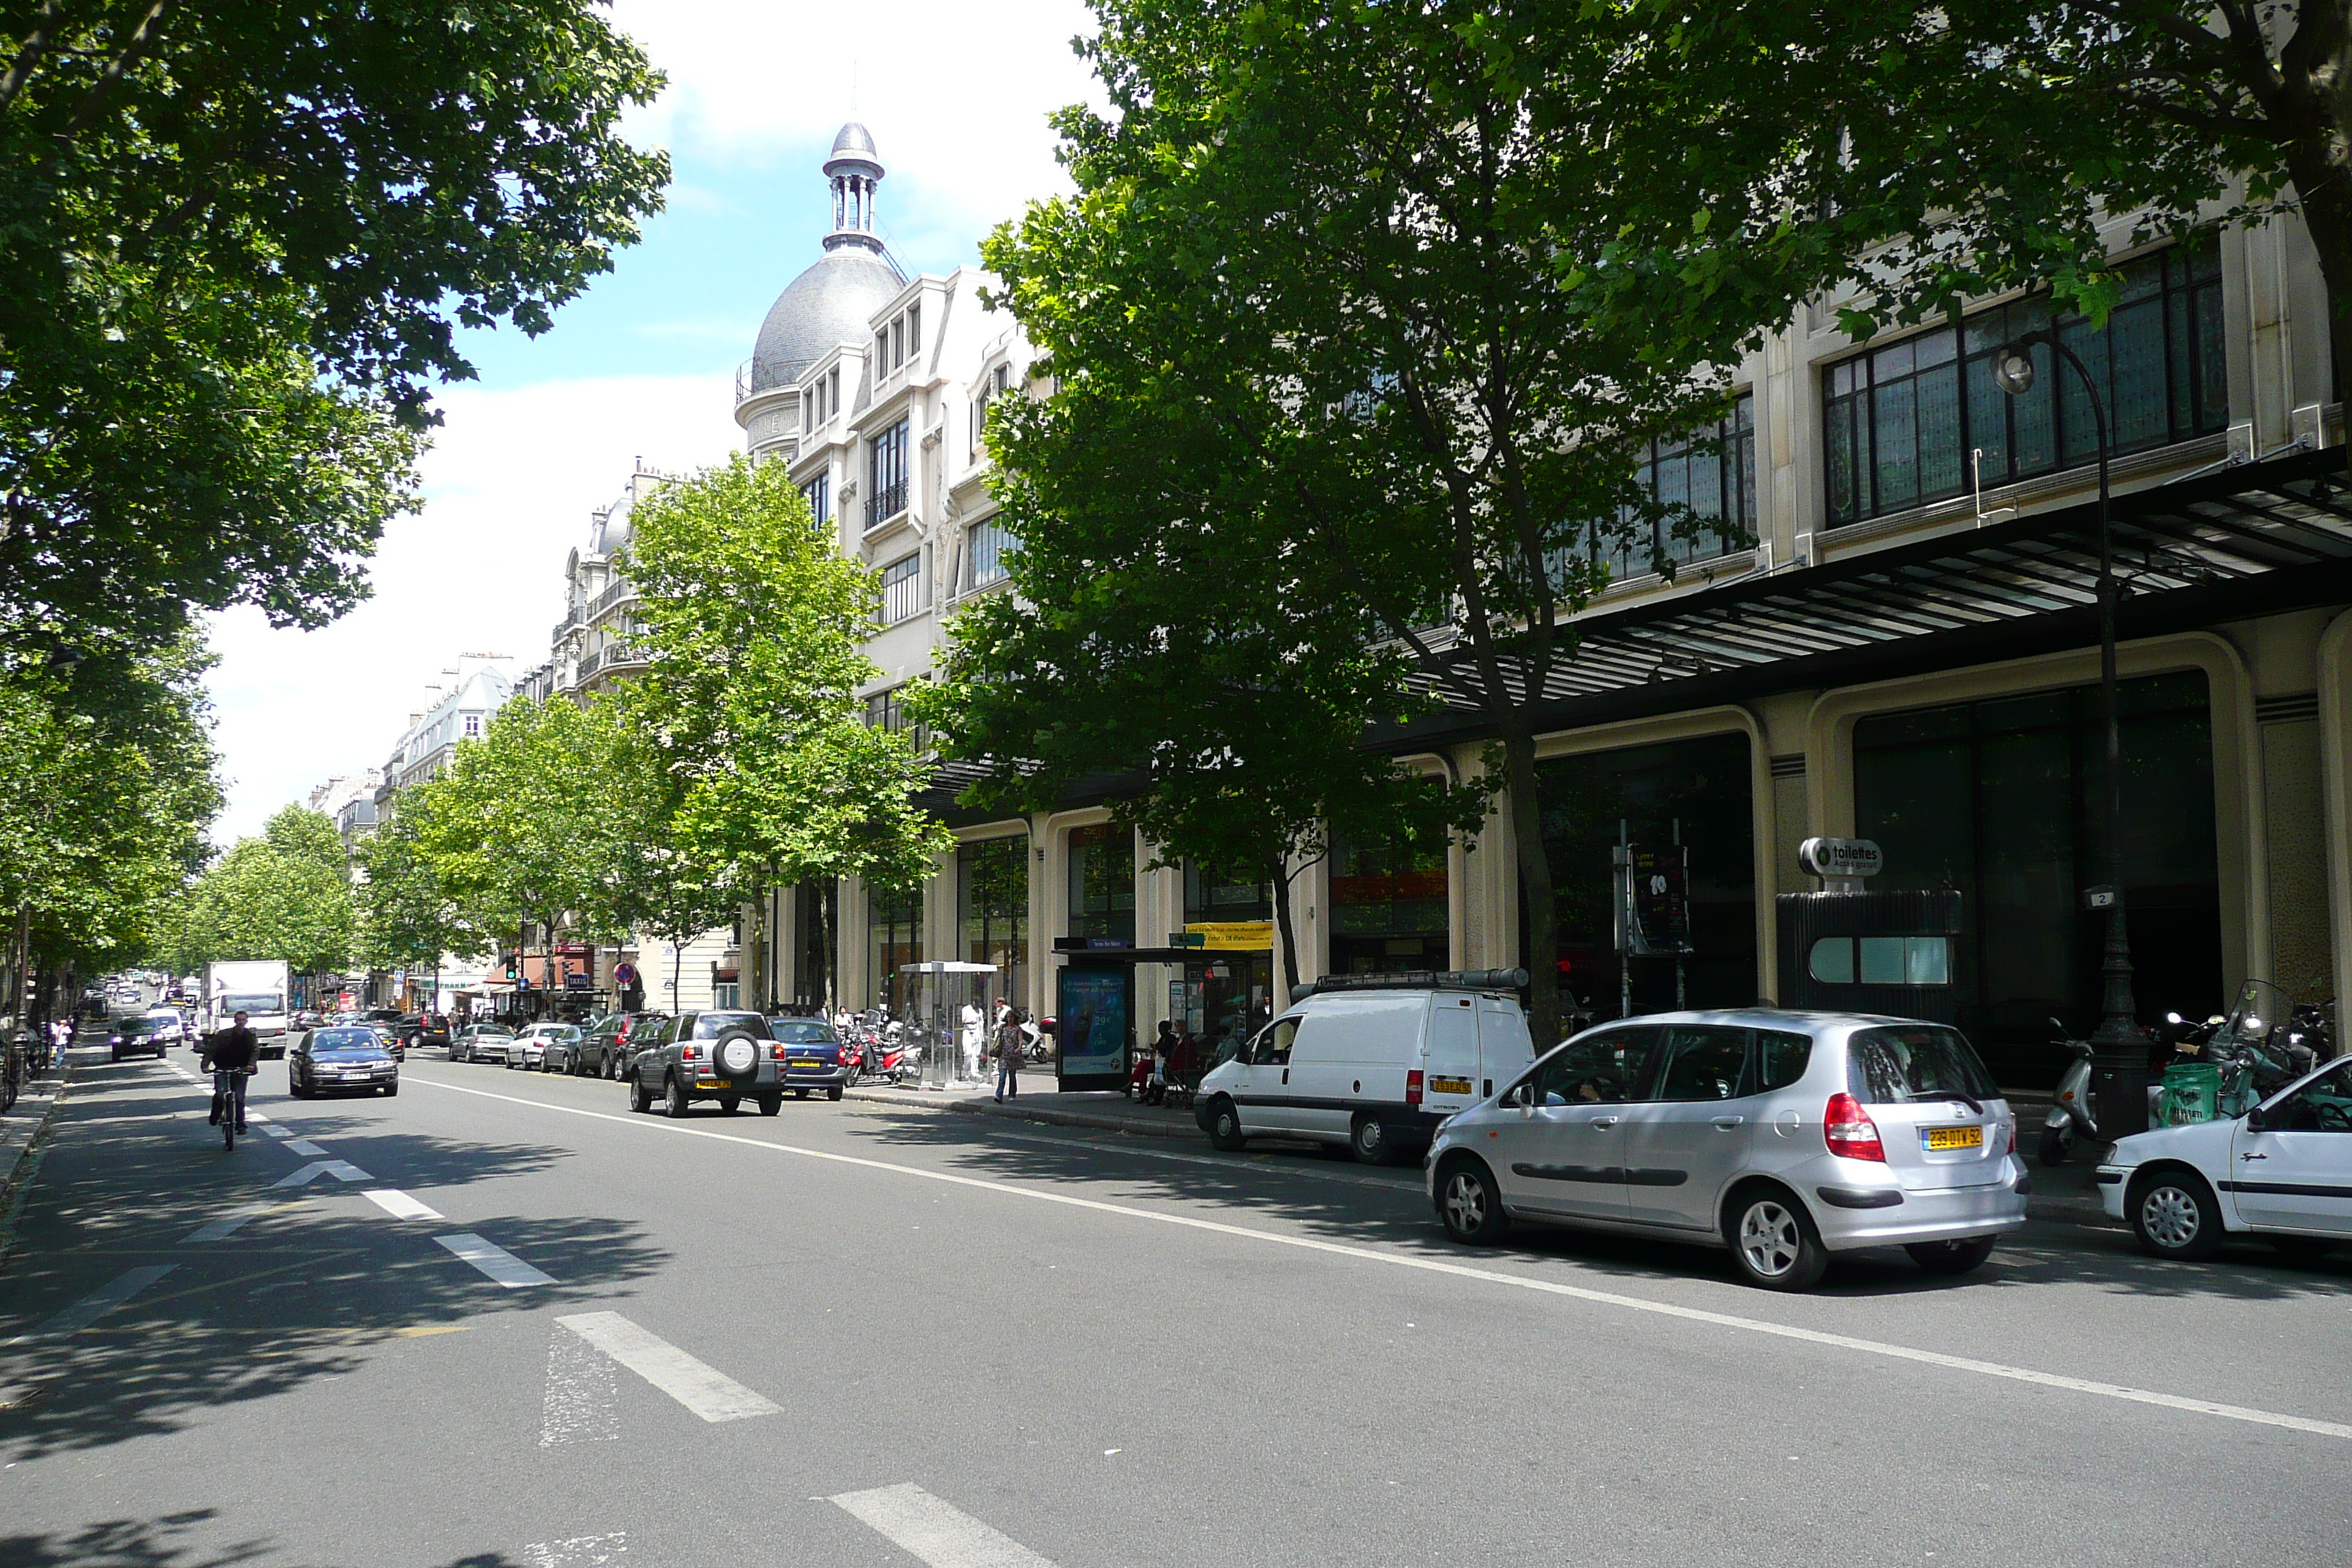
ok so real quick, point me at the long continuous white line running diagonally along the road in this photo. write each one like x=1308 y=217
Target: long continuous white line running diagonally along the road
x=1497 y=1278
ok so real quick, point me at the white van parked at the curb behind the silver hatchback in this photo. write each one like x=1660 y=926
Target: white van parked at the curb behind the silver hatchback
x=1372 y=1064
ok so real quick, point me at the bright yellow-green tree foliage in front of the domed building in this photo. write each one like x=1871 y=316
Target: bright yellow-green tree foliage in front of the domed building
x=754 y=626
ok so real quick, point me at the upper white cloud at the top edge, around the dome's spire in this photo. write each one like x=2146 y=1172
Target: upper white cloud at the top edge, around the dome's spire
x=956 y=95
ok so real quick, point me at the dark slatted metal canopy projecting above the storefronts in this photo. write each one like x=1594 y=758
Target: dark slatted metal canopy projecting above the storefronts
x=2240 y=542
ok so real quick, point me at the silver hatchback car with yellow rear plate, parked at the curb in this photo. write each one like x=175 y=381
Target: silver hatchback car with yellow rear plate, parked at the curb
x=1782 y=1137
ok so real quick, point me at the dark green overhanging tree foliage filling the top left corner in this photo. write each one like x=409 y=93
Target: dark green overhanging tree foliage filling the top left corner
x=236 y=243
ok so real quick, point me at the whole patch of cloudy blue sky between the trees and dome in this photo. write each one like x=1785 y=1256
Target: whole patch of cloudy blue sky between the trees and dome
x=643 y=363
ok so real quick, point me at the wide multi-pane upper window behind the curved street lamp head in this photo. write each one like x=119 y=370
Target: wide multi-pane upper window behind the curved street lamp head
x=1904 y=424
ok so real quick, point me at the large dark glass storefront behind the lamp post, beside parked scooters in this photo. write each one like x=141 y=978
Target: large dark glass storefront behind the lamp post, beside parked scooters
x=2000 y=800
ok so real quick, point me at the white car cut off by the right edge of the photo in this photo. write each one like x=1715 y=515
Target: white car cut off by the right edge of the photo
x=2283 y=1172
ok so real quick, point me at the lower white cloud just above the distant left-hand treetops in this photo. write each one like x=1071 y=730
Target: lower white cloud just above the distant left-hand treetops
x=509 y=488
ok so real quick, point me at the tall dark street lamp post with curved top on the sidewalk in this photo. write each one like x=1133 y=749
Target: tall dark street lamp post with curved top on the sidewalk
x=2118 y=1047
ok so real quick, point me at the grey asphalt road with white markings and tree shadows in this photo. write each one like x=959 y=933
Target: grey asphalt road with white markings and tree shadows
x=857 y=1336
